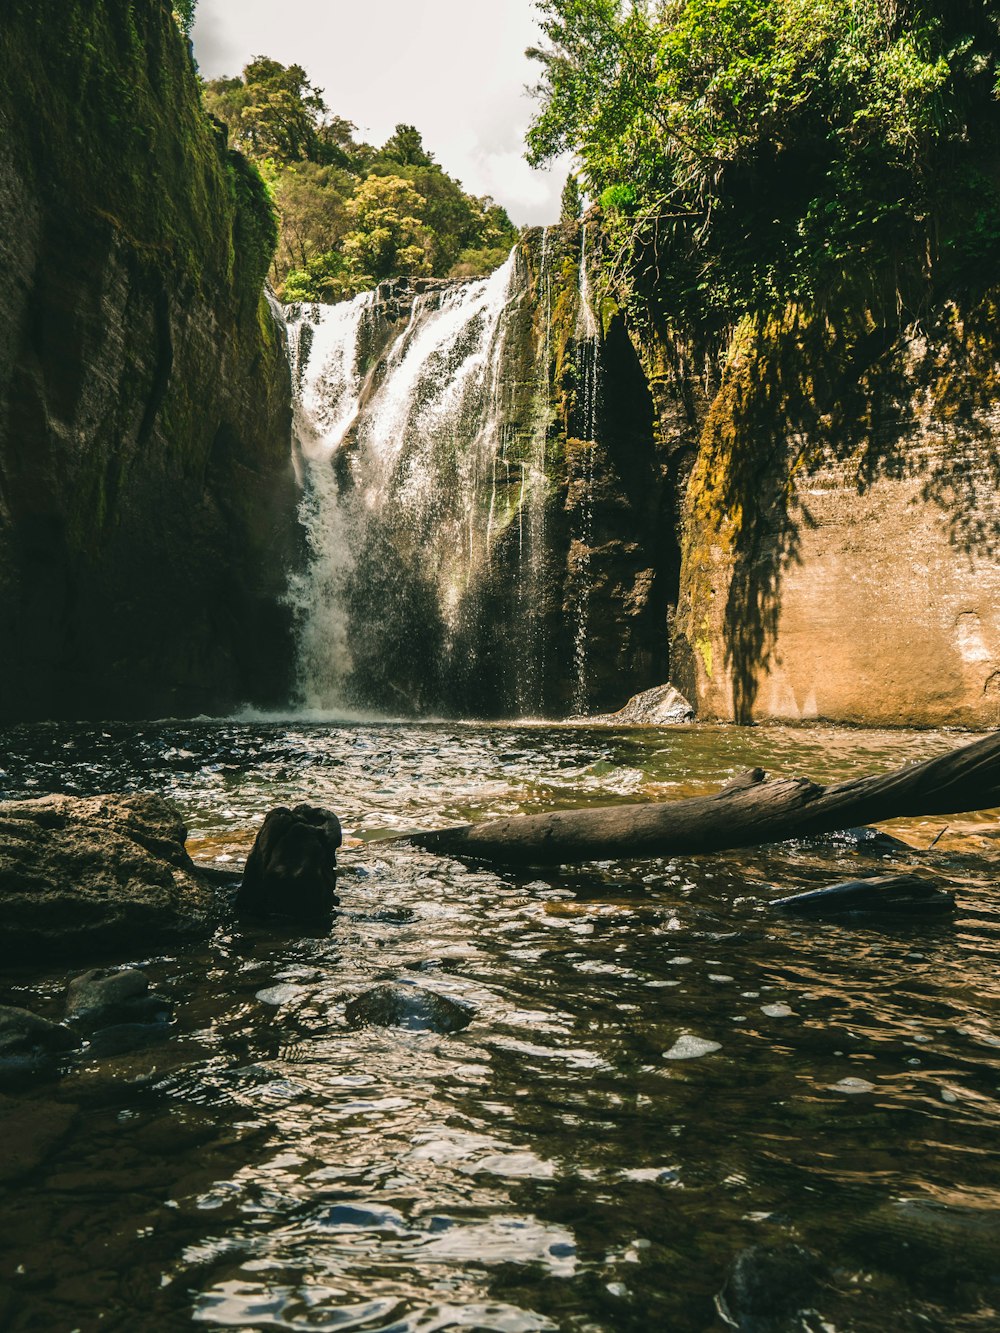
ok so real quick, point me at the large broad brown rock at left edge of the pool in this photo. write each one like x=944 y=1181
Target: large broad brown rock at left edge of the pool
x=86 y=876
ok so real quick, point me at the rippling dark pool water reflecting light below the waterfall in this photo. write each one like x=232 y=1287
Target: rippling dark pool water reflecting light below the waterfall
x=661 y=1071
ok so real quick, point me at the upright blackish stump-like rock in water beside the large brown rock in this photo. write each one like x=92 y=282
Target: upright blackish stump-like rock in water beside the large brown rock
x=293 y=867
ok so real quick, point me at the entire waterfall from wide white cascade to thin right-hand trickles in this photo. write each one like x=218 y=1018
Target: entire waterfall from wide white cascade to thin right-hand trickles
x=423 y=419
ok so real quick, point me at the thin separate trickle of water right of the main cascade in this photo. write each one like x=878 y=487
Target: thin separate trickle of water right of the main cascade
x=589 y=403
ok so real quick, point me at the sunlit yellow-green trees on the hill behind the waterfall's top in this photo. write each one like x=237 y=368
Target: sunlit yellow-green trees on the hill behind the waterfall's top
x=351 y=215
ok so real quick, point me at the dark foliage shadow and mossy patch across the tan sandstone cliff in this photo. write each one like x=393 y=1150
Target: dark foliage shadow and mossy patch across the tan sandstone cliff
x=803 y=395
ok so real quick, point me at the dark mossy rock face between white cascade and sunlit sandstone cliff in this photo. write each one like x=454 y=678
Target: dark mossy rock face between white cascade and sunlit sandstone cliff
x=575 y=611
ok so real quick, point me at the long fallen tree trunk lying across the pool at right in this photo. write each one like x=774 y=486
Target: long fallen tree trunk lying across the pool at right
x=747 y=812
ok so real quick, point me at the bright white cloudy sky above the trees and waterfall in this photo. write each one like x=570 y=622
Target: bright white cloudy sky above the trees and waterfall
x=454 y=69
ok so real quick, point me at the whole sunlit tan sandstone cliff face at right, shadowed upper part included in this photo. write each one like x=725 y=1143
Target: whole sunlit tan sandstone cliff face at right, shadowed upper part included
x=841 y=527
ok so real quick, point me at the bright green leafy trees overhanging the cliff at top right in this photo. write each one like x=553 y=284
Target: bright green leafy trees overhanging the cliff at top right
x=751 y=153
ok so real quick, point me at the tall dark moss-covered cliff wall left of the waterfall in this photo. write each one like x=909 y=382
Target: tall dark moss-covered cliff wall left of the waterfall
x=147 y=505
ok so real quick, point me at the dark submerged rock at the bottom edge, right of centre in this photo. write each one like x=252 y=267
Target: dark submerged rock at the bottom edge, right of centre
x=766 y=1288
